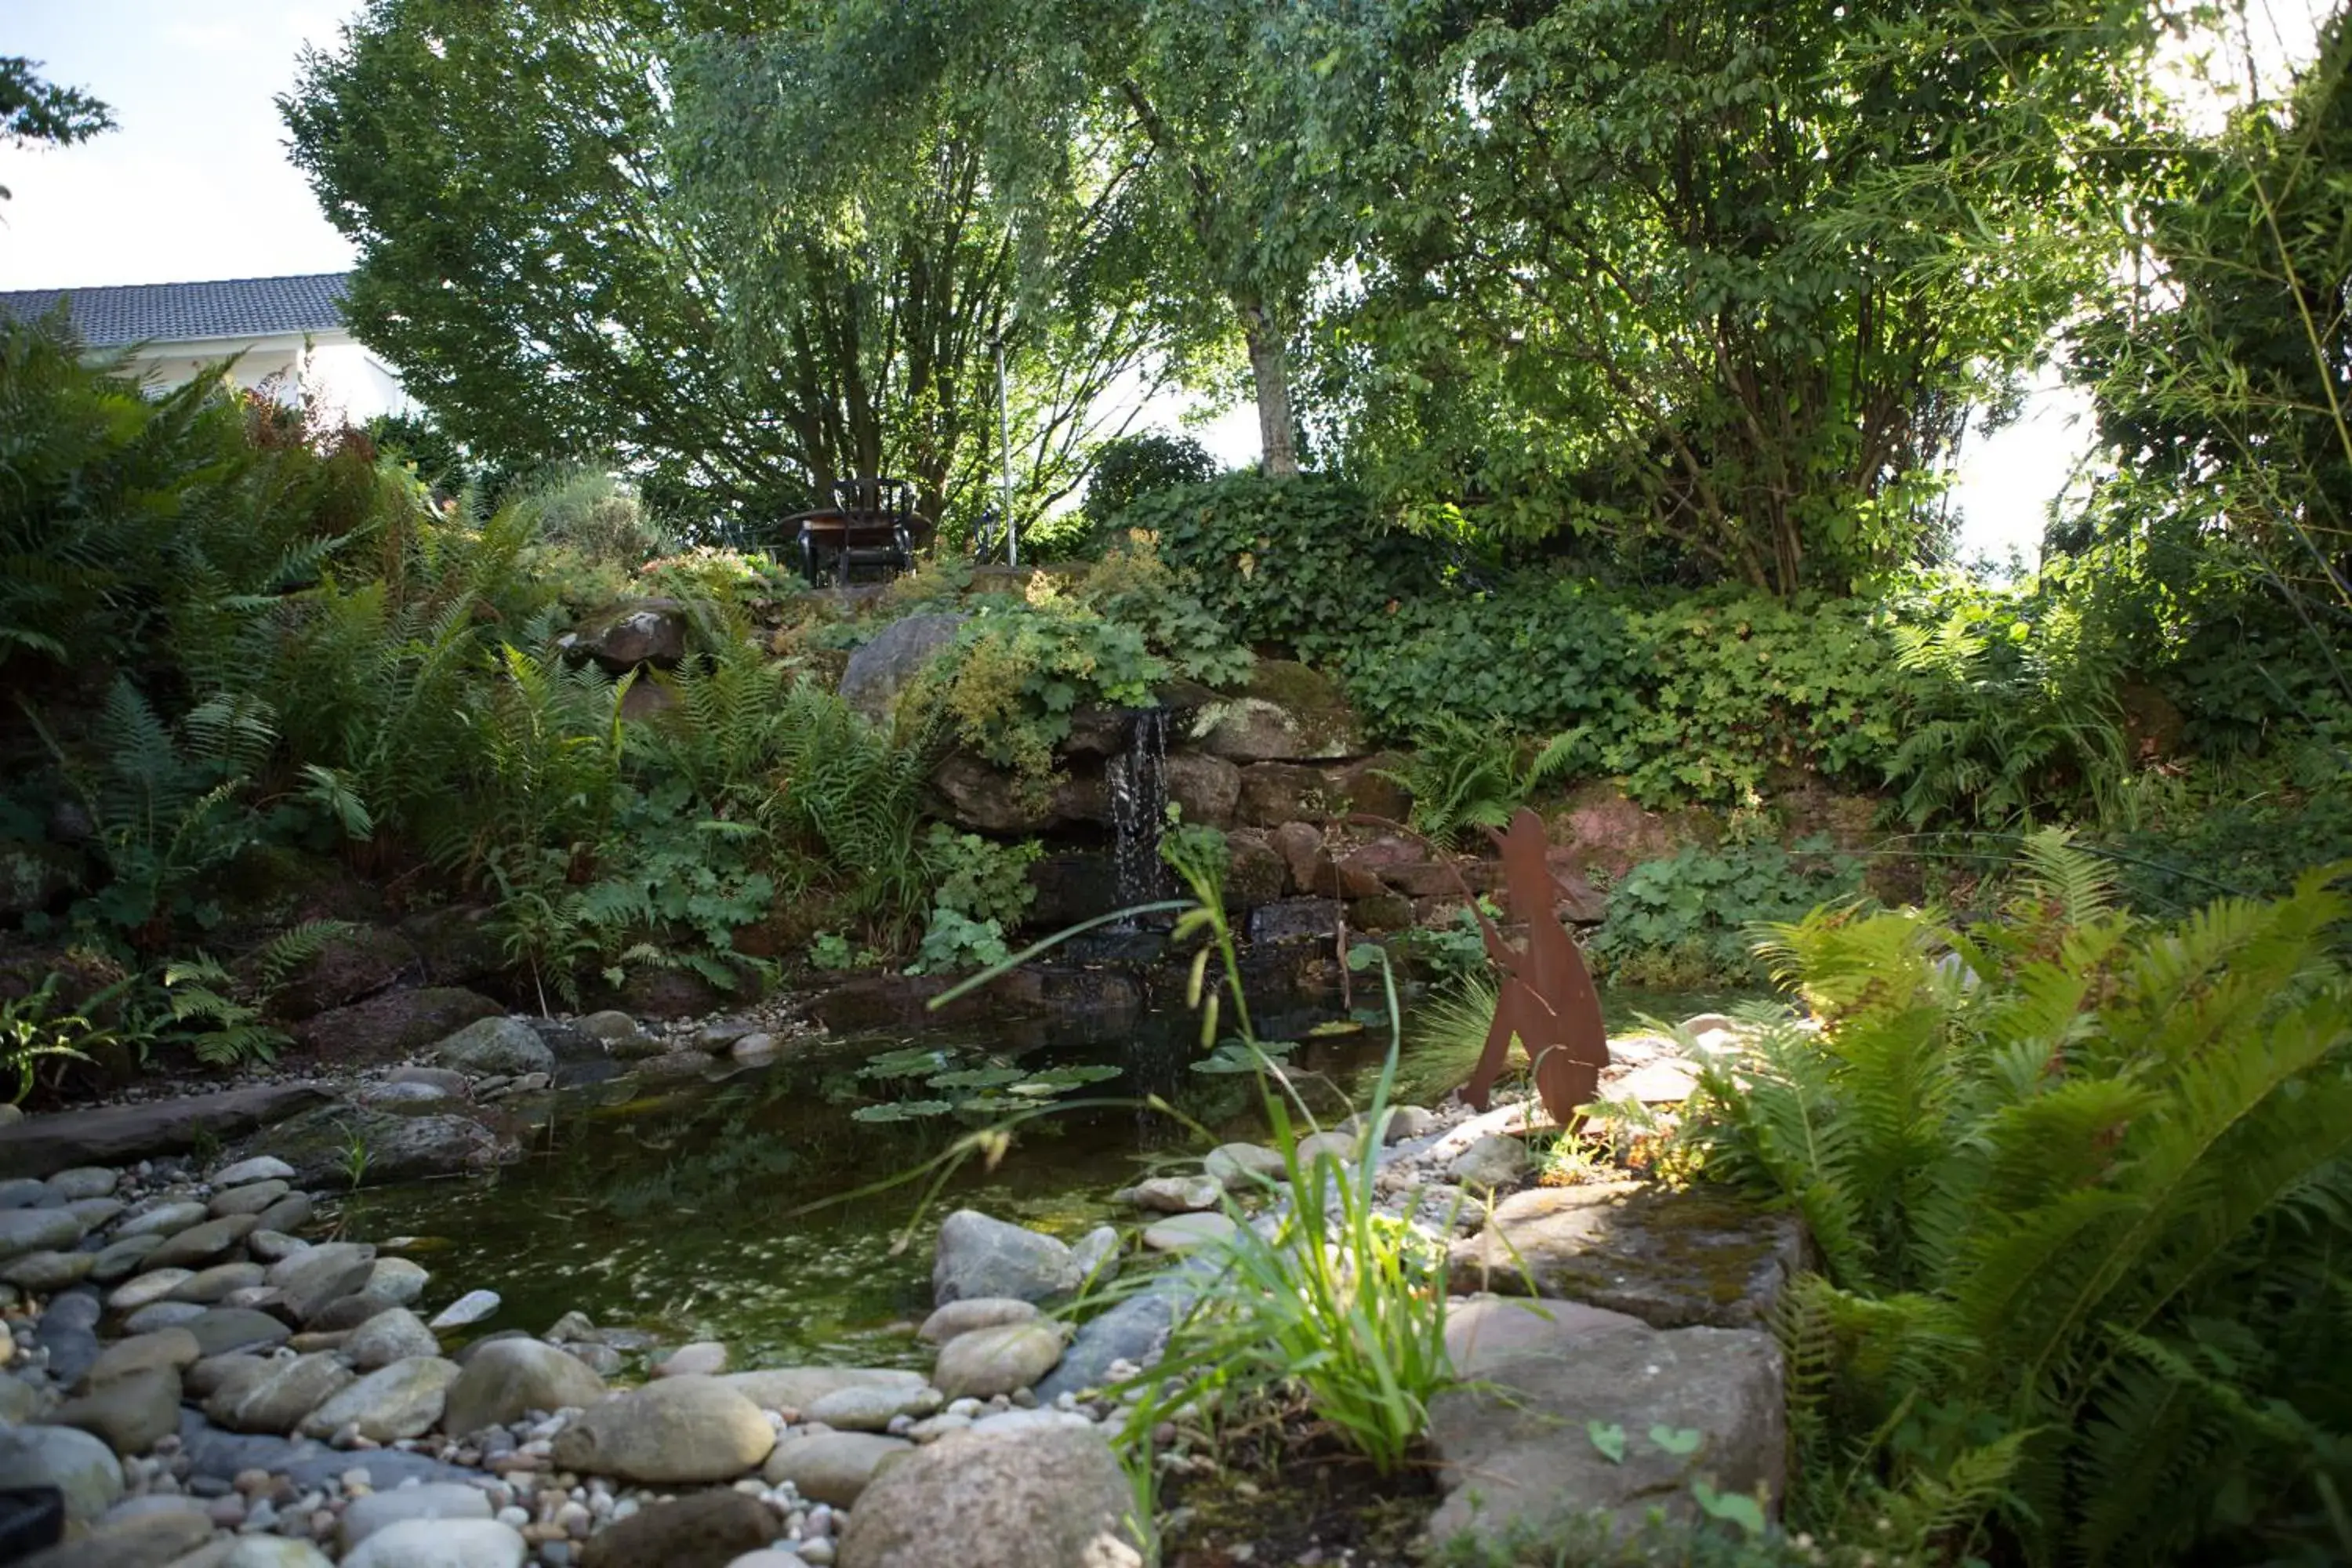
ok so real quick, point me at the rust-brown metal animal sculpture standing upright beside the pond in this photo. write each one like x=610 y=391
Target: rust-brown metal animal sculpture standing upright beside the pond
x=1546 y=998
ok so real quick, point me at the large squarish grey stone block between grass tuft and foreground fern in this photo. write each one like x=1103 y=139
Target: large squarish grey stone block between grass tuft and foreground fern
x=1499 y=1440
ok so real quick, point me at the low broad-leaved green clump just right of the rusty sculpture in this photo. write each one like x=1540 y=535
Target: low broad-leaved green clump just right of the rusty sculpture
x=1685 y=920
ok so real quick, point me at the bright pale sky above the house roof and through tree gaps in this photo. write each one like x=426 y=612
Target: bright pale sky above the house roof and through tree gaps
x=196 y=187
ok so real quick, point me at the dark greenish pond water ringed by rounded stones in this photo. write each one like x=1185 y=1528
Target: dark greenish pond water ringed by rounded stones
x=763 y=1212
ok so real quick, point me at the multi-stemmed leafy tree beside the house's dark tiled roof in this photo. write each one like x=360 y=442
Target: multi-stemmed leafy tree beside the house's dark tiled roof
x=580 y=234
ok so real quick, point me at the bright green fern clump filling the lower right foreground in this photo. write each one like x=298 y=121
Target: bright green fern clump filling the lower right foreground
x=2080 y=1191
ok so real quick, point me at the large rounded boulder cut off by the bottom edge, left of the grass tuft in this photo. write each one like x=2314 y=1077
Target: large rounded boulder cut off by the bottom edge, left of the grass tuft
x=1034 y=1499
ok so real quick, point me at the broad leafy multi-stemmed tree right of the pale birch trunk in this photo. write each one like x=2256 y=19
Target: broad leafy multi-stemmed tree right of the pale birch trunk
x=1723 y=279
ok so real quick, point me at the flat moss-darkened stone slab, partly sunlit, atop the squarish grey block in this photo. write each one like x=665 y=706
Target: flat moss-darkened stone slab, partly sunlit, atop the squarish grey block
x=1669 y=1259
